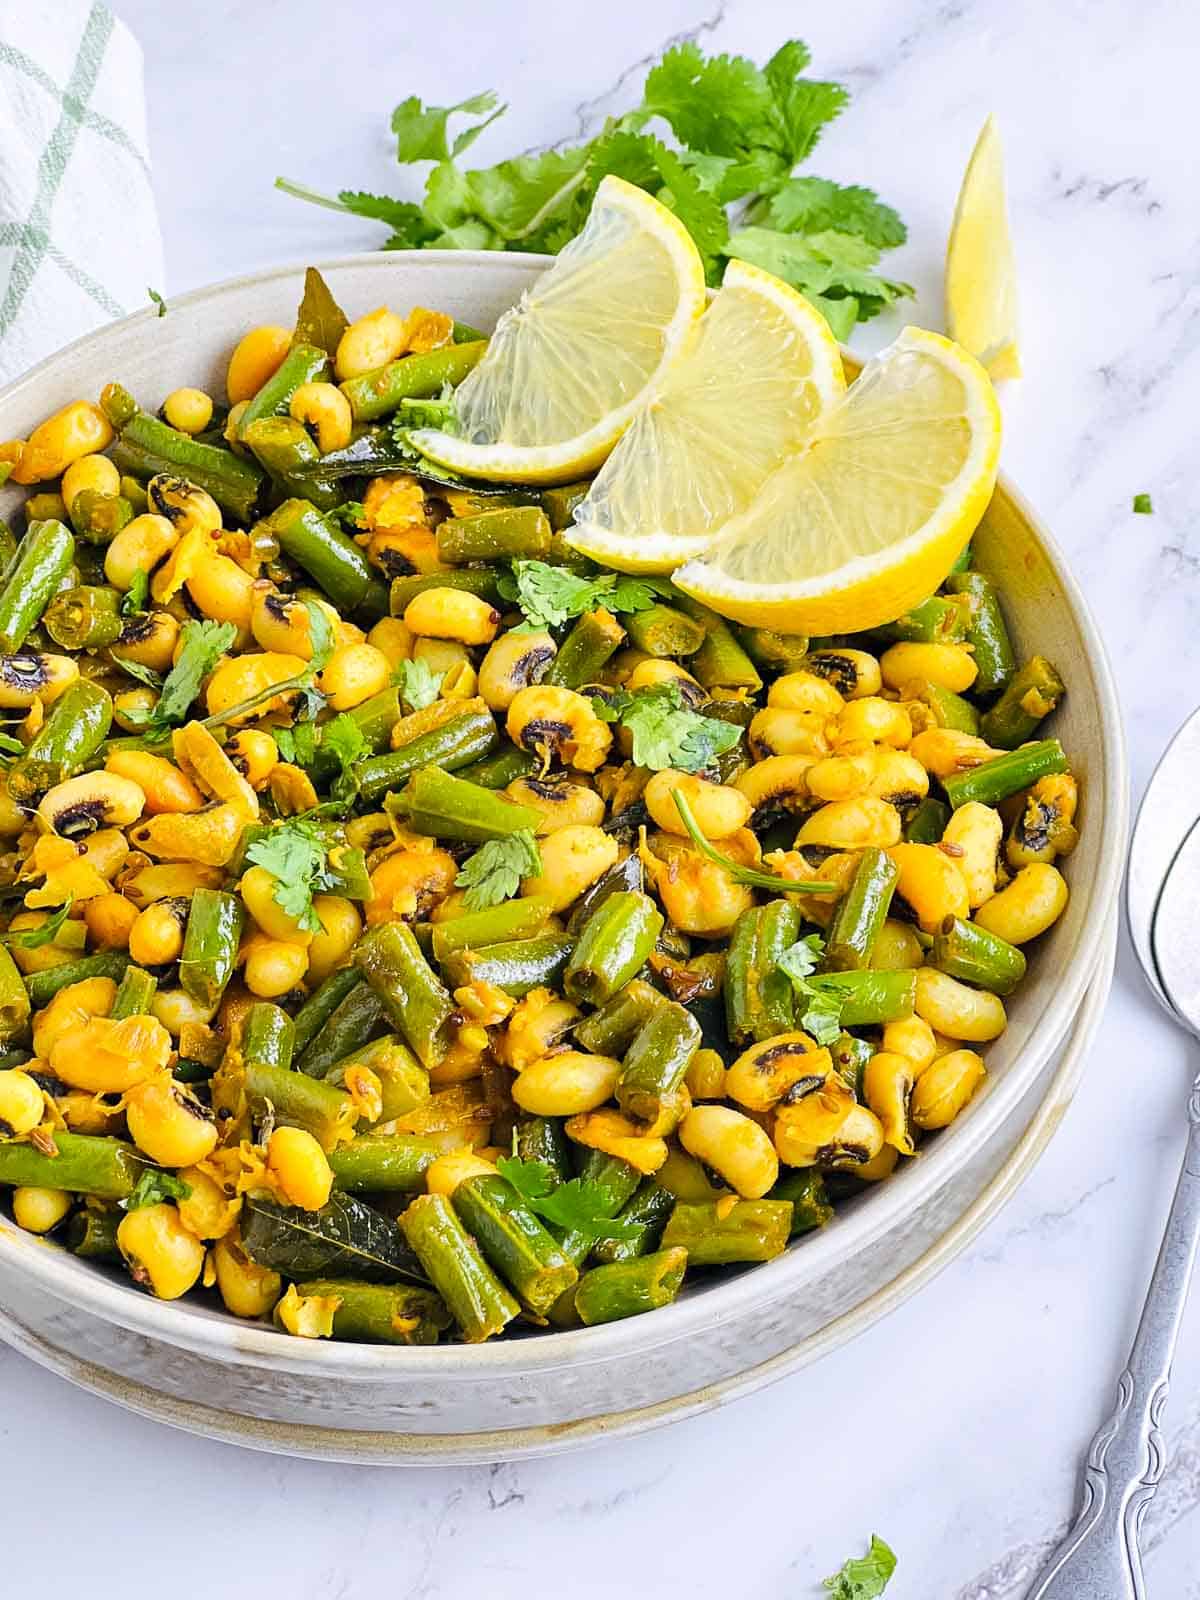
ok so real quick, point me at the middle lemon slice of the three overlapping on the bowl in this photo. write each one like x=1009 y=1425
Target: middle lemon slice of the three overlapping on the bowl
x=758 y=372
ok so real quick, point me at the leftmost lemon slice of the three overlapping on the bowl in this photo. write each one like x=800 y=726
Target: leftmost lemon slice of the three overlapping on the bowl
x=575 y=359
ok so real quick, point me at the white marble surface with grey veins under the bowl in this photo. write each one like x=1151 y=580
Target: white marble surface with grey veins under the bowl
x=954 y=1428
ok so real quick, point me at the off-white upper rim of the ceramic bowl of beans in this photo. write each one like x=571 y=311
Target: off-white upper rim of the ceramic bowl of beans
x=217 y=1335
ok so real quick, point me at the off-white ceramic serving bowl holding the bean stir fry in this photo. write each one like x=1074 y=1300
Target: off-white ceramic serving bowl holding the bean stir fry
x=204 y=1370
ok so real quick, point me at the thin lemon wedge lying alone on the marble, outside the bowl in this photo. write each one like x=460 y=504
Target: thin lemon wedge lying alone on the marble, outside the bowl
x=980 y=268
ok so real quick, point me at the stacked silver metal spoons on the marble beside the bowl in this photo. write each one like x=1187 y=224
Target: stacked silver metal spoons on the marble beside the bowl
x=1100 y=1558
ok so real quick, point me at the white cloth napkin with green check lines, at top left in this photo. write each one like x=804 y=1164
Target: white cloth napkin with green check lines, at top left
x=79 y=233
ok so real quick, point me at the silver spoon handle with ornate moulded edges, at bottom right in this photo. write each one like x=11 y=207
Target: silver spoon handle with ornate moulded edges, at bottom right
x=1100 y=1558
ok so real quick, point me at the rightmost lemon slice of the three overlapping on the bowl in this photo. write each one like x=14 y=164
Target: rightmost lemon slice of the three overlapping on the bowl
x=870 y=519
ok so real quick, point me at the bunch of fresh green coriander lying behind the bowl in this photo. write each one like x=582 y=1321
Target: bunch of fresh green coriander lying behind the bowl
x=718 y=140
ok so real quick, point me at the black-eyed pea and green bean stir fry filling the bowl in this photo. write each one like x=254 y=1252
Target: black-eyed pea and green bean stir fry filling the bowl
x=415 y=929
